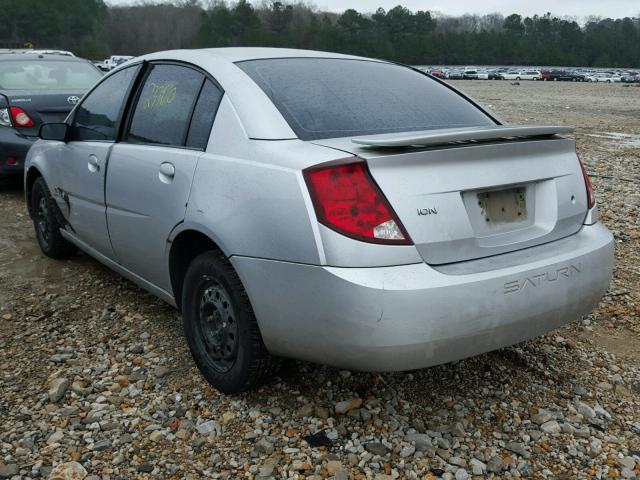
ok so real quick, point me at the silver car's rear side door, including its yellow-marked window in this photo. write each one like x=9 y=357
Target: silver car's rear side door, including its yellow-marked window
x=151 y=169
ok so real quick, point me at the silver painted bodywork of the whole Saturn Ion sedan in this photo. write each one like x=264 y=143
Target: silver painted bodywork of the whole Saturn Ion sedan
x=320 y=296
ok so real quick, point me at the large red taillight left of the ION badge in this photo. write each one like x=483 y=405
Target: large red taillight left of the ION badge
x=347 y=200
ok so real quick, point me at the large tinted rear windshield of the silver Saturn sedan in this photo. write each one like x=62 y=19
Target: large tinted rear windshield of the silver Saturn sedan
x=329 y=98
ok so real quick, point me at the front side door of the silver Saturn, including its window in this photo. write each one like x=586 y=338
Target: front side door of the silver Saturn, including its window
x=84 y=158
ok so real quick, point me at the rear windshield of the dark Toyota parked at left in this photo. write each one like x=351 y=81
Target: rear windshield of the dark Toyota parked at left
x=47 y=75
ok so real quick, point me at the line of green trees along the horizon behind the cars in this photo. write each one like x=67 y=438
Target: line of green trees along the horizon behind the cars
x=93 y=29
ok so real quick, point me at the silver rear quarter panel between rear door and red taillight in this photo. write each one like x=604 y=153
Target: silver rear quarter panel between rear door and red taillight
x=249 y=195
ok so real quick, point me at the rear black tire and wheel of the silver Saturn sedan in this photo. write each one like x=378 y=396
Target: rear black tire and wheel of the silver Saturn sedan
x=225 y=341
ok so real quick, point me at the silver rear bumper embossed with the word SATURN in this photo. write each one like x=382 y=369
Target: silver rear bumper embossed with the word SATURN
x=413 y=316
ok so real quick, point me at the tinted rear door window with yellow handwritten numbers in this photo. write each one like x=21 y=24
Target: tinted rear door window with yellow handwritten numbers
x=164 y=105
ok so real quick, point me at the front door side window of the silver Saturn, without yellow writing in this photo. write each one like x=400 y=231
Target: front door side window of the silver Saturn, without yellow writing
x=98 y=115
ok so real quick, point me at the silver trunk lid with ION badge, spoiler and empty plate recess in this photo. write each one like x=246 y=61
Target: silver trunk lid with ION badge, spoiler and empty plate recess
x=470 y=193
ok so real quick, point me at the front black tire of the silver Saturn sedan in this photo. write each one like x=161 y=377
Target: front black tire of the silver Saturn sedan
x=47 y=222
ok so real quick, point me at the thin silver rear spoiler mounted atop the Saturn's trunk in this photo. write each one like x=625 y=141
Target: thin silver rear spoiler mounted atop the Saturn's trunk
x=450 y=135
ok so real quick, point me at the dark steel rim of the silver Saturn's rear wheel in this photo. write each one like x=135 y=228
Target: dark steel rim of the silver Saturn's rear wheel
x=218 y=326
